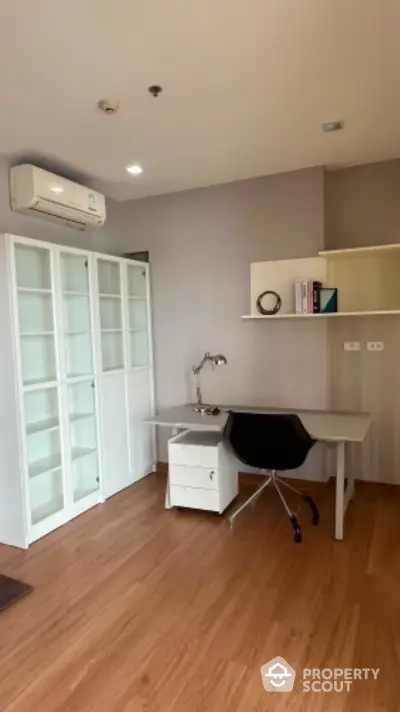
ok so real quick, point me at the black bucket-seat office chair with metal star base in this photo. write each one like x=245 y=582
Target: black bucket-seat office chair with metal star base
x=272 y=443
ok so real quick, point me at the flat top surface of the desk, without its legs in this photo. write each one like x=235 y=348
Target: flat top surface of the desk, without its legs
x=322 y=425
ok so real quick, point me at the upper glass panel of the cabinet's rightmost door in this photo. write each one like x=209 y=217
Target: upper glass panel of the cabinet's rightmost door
x=138 y=315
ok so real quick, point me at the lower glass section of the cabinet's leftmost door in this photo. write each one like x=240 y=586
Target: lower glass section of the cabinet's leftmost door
x=42 y=430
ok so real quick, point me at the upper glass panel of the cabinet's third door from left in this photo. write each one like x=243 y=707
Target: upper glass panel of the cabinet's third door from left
x=111 y=326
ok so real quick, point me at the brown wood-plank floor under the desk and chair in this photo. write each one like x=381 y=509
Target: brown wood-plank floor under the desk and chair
x=139 y=609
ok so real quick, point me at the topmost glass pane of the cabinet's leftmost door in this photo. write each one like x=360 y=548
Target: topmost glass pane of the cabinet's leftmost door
x=32 y=267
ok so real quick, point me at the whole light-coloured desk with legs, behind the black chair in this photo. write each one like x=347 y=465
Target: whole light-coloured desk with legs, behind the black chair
x=324 y=426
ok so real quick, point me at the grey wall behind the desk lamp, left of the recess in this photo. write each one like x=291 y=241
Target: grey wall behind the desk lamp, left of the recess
x=201 y=243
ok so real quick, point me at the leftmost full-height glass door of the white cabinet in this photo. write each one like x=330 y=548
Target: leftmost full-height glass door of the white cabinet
x=46 y=489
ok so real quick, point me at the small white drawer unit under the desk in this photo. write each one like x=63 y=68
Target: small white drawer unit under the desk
x=202 y=471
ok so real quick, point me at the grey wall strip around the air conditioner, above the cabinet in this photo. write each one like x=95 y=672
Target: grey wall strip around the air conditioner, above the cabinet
x=102 y=240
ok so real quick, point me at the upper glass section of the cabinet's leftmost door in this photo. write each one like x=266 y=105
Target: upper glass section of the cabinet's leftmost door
x=35 y=314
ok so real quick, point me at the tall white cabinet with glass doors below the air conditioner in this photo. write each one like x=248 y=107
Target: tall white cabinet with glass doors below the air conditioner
x=76 y=330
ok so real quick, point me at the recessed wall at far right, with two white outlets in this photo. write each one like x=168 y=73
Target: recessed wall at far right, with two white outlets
x=363 y=208
